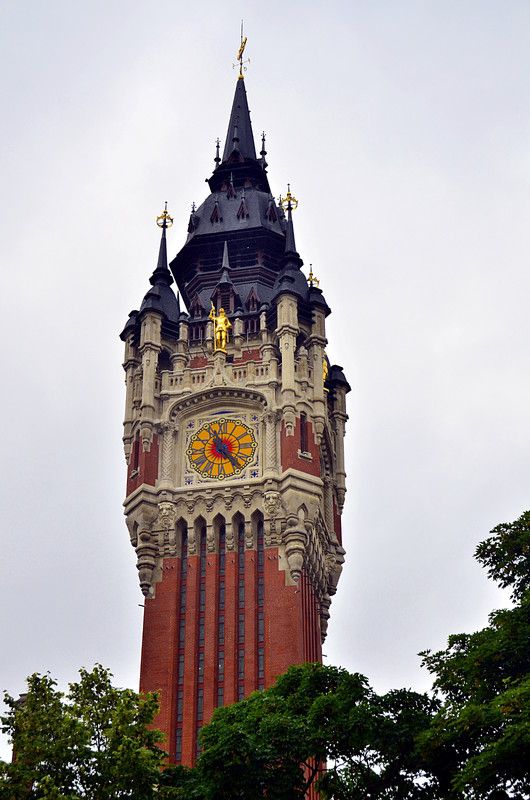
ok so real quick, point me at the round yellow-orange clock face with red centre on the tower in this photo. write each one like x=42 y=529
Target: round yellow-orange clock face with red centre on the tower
x=221 y=449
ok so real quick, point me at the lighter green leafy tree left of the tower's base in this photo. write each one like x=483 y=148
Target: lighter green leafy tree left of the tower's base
x=92 y=742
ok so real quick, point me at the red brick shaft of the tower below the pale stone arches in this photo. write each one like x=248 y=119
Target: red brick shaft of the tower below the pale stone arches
x=292 y=636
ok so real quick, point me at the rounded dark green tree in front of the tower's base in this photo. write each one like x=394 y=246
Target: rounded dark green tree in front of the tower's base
x=275 y=743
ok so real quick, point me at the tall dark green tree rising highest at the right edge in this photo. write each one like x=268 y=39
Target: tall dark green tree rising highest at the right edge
x=481 y=735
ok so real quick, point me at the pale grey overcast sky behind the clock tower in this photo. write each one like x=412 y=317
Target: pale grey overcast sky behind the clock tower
x=404 y=129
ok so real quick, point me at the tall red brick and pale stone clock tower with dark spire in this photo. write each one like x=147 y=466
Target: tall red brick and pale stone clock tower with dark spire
x=234 y=440
